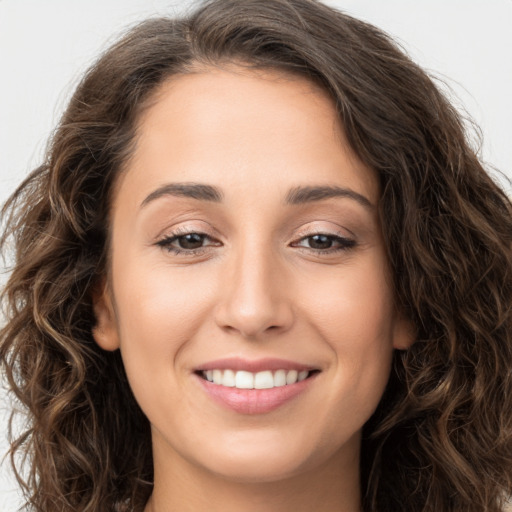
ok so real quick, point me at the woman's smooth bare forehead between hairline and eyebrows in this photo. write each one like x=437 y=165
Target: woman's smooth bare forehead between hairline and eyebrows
x=238 y=127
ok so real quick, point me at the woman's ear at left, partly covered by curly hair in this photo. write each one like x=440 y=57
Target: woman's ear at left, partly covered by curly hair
x=105 y=330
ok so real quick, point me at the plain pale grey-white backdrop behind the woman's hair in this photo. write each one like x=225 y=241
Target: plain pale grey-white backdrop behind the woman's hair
x=46 y=45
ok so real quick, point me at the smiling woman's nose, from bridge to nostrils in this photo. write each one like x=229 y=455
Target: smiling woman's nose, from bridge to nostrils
x=254 y=300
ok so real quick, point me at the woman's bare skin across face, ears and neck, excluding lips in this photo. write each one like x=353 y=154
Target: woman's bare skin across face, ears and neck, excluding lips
x=259 y=287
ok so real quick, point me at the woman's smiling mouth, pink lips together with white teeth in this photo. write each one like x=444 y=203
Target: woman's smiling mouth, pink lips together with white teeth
x=254 y=387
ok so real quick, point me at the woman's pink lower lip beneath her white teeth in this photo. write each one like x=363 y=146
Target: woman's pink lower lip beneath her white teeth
x=254 y=401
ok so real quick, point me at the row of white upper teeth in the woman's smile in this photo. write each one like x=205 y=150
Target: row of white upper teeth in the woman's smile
x=260 y=380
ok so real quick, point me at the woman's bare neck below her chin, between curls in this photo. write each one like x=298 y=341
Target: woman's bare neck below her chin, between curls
x=332 y=487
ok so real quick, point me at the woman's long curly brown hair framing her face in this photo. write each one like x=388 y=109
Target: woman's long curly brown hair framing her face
x=441 y=438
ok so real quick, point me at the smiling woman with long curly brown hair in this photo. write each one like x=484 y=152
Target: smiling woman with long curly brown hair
x=261 y=269
